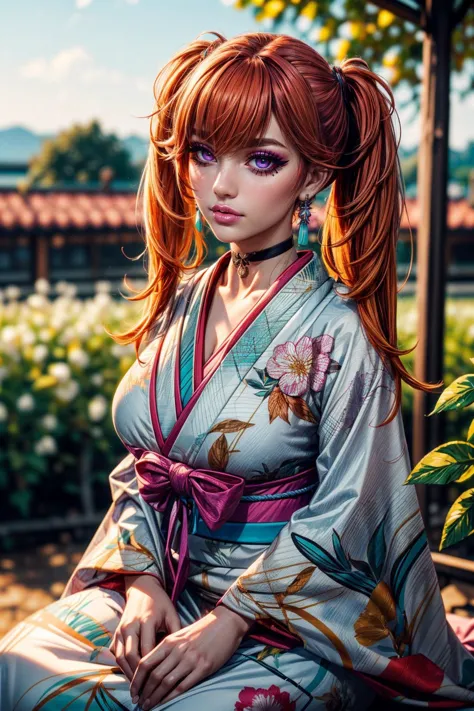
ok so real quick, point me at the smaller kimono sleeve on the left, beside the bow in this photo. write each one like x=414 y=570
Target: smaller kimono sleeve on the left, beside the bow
x=127 y=542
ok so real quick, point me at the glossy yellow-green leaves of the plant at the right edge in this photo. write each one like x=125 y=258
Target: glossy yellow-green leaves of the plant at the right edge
x=452 y=462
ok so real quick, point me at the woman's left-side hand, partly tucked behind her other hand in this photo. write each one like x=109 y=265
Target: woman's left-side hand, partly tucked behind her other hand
x=147 y=610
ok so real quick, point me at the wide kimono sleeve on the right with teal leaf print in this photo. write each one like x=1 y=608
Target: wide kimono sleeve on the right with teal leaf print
x=351 y=573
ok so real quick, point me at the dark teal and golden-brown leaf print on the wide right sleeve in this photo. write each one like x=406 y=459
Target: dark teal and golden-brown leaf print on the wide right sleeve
x=384 y=615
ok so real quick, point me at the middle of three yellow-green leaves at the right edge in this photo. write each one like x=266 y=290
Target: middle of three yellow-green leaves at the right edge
x=453 y=461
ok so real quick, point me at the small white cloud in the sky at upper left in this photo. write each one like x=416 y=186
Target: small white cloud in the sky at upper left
x=75 y=62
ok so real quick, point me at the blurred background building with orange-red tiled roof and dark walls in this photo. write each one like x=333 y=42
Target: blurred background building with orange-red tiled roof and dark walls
x=78 y=235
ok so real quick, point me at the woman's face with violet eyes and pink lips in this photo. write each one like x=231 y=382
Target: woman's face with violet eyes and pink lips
x=258 y=182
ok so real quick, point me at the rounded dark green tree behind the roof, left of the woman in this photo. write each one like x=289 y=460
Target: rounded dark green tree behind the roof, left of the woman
x=77 y=155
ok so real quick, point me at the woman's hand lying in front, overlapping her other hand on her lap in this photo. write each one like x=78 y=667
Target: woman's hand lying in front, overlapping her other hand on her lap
x=185 y=657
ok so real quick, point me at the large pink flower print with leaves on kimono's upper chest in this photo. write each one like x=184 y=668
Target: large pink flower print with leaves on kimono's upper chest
x=293 y=370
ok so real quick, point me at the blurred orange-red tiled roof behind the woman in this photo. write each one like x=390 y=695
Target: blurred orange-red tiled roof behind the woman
x=74 y=211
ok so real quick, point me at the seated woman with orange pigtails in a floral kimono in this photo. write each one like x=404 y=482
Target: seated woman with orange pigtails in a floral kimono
x=261 y=551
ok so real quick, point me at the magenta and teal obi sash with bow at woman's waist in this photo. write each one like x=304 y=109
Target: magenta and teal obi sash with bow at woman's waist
x=217 y=505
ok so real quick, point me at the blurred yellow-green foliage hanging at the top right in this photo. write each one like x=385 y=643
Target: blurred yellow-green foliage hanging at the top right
x=358 y=28
